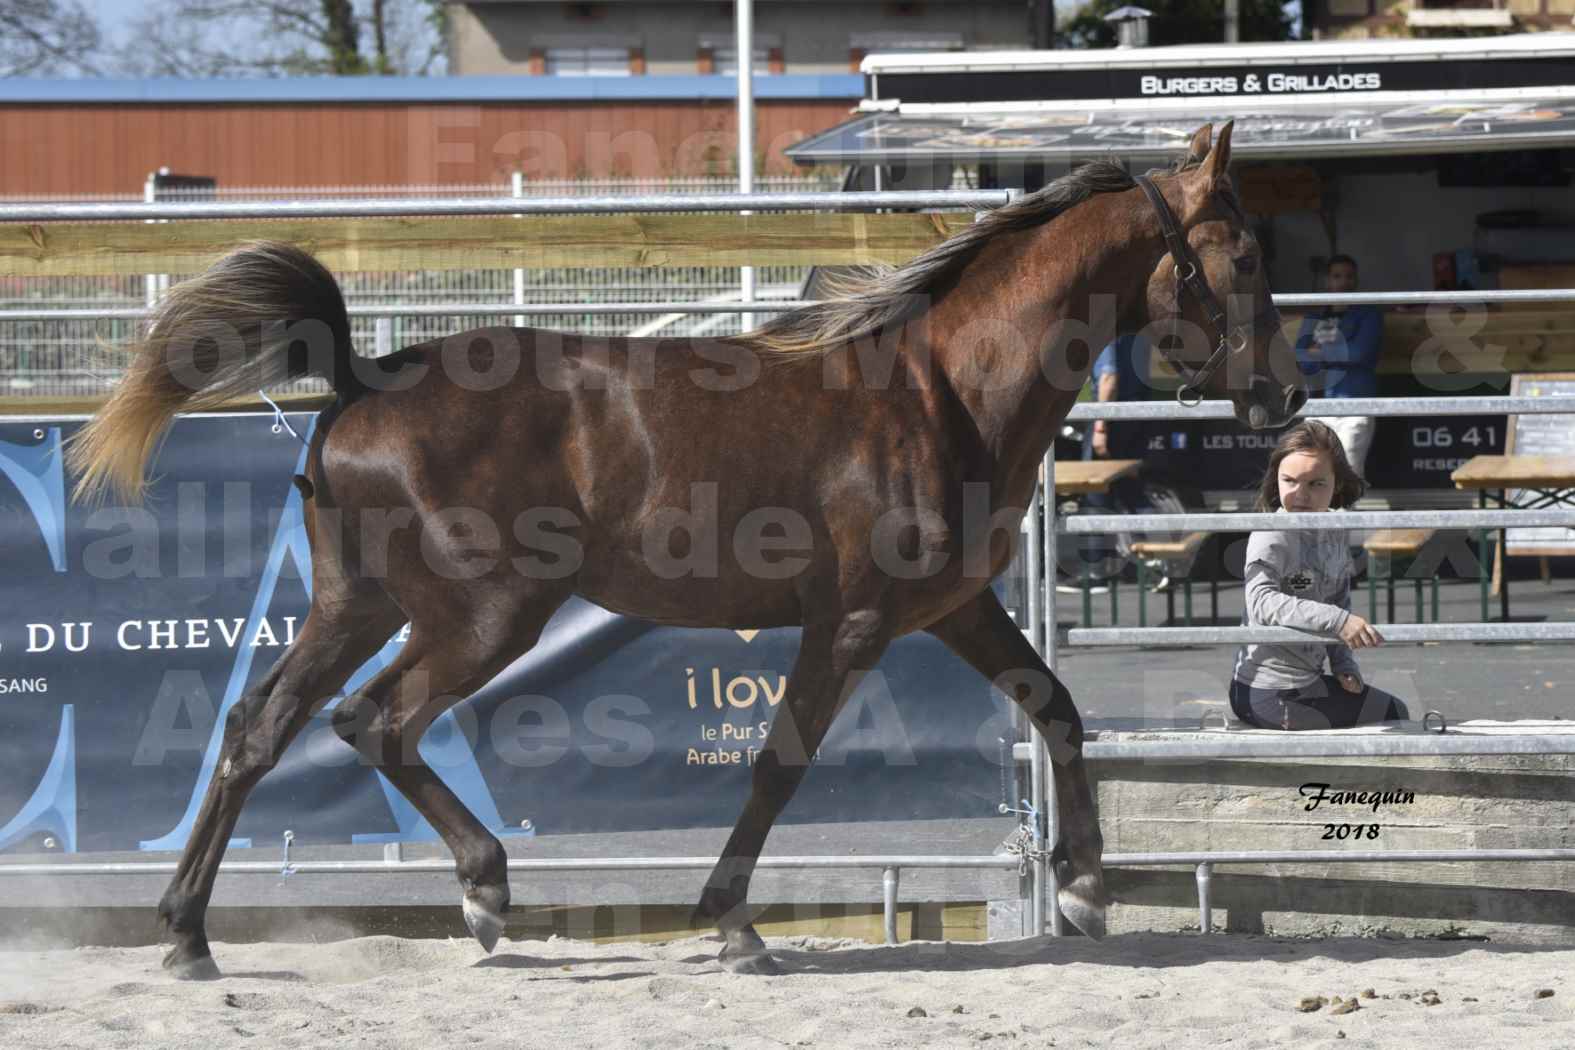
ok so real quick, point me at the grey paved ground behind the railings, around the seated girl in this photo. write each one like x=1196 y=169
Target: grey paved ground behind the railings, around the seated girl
x=1117 y=687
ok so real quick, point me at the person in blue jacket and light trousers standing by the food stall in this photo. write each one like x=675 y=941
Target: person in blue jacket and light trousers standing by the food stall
x=1340 y=350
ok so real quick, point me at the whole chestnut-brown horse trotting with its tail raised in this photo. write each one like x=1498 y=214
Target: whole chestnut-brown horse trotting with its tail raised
x=889 y=442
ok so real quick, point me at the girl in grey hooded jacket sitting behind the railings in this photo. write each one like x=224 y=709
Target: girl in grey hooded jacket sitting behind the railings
x=1303 y=580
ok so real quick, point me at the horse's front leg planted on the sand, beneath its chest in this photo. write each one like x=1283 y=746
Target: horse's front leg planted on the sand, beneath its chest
x=831 y=665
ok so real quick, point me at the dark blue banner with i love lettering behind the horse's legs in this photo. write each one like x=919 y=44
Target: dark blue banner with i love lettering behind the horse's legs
x=130 y=632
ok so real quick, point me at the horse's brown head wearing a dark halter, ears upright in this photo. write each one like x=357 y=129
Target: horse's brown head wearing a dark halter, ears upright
x=1209 y=297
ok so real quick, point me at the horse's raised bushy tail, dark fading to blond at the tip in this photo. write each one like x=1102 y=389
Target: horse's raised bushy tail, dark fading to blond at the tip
x=264 y=314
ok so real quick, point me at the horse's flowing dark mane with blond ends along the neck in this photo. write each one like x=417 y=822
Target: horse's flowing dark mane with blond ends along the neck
x=870 y=298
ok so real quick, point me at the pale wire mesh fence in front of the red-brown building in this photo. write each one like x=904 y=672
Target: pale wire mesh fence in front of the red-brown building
x=65 y=360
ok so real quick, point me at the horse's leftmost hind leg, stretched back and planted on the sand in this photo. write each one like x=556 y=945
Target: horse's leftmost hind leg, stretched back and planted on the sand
x=258 y=731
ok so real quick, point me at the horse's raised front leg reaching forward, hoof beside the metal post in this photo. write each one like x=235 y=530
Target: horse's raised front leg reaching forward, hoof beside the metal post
x=985 y=635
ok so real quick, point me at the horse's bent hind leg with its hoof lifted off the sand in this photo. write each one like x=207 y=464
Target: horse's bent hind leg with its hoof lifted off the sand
x=388 y=717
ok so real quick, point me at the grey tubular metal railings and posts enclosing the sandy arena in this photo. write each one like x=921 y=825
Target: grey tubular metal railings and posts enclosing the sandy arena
x=1042 y=517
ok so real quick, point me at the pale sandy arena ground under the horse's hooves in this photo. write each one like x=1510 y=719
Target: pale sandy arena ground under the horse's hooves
x=1135 y=991
